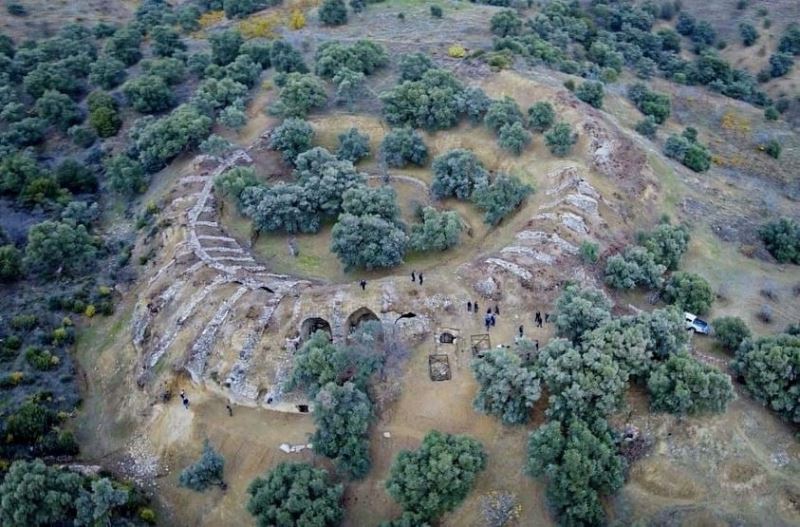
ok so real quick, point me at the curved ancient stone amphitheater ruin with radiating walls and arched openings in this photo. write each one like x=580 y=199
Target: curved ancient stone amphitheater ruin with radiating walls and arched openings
x=211 y=310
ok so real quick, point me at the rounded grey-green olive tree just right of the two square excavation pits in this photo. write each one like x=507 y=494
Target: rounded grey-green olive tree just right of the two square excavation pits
x=507 y=390
